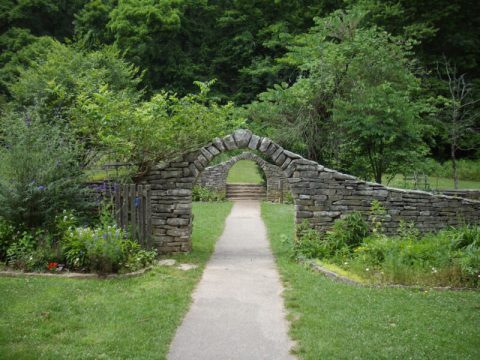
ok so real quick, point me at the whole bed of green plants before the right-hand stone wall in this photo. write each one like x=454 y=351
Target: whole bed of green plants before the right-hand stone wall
x=450 y=257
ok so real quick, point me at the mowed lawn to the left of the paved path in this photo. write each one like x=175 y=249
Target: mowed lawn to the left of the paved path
x=136 y=318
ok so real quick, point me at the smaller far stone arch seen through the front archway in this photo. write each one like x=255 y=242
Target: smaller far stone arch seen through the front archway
x=215 y=177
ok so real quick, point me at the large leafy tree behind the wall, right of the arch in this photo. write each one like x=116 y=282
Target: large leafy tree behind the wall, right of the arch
x=355 y=104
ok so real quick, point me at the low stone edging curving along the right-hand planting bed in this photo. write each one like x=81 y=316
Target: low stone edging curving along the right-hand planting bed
x=346 y=280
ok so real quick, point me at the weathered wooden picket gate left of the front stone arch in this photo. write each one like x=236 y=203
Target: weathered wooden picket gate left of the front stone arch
x=133 y=211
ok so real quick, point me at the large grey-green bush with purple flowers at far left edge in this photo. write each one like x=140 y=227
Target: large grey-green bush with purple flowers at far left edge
x=40 y=174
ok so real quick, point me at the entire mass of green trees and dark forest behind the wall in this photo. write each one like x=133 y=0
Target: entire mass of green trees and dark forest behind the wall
x=370 y=87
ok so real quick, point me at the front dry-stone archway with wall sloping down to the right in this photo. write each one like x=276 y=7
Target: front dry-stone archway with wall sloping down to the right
x=320 y=195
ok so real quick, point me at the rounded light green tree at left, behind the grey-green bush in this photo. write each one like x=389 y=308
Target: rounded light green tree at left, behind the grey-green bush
x=56 y=83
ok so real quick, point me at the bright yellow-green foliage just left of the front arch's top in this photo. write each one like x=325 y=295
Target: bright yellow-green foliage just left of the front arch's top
x=159 y=129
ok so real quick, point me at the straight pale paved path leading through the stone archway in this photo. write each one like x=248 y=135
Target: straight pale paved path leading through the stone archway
x=237 y=310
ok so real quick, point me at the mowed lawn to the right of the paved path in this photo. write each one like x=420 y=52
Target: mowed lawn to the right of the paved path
x=331 y=320
